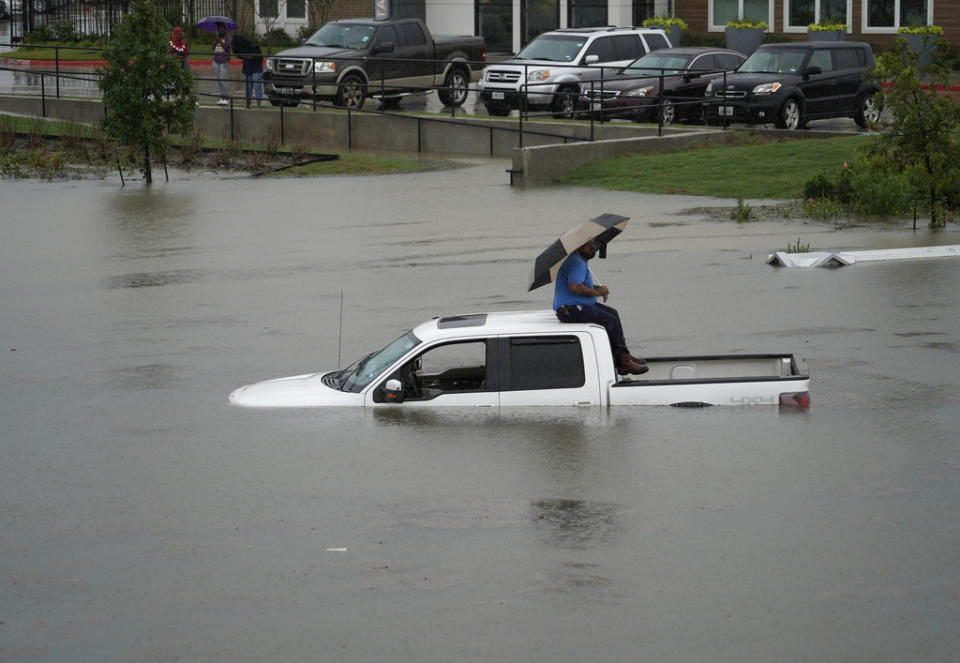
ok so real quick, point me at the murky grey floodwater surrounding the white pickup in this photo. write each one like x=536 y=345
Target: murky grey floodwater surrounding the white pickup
x=145 y=519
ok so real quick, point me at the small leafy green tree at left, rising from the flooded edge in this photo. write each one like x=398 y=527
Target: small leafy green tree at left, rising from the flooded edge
x=146 y=91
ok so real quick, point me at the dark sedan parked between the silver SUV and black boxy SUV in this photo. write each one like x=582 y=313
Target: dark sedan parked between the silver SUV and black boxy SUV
x=635 y=91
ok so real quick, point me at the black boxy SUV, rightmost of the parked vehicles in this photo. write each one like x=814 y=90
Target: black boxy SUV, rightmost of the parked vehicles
x=790 y=84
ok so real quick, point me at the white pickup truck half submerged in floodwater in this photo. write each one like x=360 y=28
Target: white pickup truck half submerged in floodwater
x=530 y=359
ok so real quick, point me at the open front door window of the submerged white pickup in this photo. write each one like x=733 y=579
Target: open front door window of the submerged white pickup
x=448 y=368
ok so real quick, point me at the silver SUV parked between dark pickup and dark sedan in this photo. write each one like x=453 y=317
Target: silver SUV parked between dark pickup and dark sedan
x=549 y=71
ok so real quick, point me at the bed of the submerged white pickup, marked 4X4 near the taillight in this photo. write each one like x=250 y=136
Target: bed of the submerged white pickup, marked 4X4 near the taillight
x=762 y=379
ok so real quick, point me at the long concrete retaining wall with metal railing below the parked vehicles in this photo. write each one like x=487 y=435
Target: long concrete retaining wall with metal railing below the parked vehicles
x=549 y=149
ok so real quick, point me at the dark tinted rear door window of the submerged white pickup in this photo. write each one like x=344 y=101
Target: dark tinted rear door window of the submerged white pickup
x=545 y=362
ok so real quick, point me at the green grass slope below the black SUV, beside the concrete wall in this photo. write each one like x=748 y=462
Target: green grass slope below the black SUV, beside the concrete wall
x=751 y=170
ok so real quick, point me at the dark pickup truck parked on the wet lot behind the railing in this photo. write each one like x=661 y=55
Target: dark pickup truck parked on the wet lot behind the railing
x=348 y=60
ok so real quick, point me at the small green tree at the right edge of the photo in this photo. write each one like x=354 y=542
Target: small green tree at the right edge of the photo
x=920 y=137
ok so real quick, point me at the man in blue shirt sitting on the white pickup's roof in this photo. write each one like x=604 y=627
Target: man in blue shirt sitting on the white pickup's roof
x=575 y=300
